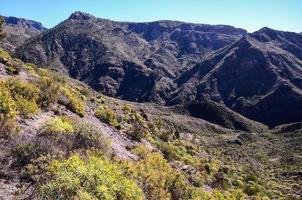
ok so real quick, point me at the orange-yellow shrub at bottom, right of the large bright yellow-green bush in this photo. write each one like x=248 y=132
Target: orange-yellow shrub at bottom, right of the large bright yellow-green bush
x=158 y=179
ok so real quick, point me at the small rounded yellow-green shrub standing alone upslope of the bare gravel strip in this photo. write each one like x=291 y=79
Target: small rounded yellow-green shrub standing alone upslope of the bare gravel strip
x=106 y=115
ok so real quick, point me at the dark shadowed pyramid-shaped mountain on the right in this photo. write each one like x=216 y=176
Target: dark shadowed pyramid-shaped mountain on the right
x=258 y=76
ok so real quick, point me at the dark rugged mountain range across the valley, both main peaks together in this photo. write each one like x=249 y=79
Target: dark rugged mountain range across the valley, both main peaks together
x=255 y=74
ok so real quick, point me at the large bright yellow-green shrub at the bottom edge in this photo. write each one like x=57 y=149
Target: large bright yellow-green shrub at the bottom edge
x=92 y=178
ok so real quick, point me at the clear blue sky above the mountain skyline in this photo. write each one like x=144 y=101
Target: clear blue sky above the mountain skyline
x=249 y=14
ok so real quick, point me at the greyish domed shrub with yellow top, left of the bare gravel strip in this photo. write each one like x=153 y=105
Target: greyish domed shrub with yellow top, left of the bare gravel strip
x=69 y=134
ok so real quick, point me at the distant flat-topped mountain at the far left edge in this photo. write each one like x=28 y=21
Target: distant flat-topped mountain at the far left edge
x=18 y=30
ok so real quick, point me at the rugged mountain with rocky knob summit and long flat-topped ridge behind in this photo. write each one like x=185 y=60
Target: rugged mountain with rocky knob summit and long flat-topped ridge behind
x=134 y=61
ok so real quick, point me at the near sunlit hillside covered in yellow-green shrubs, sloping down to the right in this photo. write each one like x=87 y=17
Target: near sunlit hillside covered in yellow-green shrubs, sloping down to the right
x=56 y=129
